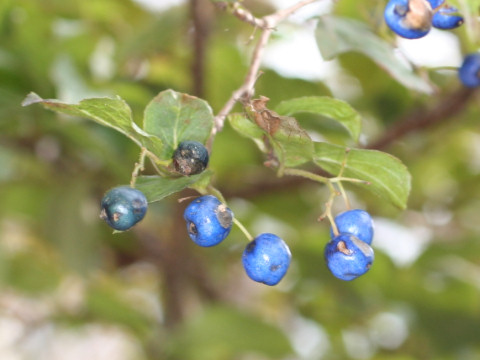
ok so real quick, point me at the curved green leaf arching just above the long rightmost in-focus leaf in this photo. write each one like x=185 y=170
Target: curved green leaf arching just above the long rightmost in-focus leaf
x=326 y=106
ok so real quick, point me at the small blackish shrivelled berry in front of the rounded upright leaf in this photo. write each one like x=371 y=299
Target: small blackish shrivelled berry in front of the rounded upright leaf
x=190 y=158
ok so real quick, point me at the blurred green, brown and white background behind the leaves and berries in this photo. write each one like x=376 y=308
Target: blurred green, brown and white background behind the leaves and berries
x=70 y=289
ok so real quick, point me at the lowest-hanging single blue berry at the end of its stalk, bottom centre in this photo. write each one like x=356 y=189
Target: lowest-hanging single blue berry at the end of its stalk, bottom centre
x=266 y=259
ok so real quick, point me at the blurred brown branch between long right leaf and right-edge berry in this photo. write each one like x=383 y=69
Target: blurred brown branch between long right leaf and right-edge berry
x=444 y=109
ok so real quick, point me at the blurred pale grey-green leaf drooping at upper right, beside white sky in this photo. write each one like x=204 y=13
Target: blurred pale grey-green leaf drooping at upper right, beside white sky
x=336 y=35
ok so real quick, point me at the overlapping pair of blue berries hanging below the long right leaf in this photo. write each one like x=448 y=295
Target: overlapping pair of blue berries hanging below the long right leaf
x=349 y=255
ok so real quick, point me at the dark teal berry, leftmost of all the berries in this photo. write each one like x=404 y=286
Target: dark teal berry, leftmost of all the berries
x=123 y=207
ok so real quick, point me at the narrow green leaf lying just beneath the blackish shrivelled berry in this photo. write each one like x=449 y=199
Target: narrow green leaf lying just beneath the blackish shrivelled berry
x=156 y=188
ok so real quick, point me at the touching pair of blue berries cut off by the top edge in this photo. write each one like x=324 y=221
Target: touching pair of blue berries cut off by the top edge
x=413 y=19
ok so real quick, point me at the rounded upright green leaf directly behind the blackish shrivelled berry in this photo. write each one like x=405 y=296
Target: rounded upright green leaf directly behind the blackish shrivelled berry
x=175 y=117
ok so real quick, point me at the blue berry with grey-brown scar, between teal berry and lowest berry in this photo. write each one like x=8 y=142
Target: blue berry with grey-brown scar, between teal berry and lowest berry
x=208 y=220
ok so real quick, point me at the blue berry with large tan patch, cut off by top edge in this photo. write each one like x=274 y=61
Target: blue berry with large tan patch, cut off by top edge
x=411 y=19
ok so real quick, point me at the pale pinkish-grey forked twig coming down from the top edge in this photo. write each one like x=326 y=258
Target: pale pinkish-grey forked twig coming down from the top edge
x=246 y=90
